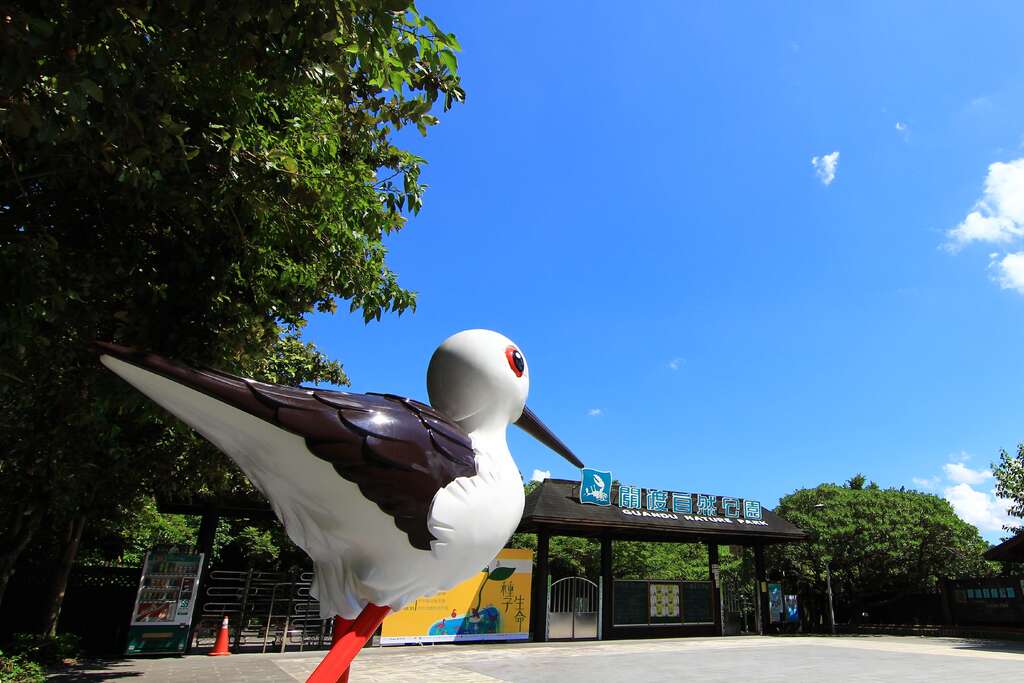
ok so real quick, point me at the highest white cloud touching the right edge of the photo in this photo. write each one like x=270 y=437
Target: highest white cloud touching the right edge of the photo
x=999 y=216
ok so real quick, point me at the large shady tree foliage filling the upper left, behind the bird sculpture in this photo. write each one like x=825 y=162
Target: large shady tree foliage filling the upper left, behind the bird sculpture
x=193 y=179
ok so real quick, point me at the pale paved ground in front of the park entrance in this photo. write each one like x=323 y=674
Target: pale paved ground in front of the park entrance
x=705 y=660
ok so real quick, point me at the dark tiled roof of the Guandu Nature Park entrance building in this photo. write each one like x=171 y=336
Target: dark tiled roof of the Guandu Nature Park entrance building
x=556 y=505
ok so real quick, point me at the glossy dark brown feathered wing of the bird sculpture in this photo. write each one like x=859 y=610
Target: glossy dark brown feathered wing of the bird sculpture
x=398 y=451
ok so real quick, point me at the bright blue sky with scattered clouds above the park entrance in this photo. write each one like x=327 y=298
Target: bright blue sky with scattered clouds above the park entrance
x=632 y=199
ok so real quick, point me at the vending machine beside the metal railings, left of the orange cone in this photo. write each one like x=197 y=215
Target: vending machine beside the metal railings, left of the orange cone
x=167 y=594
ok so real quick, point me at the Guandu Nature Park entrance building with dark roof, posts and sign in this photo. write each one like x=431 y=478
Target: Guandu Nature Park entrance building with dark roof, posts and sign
x=596 y=508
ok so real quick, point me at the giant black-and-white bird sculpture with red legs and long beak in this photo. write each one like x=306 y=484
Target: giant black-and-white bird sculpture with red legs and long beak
x=393 y=499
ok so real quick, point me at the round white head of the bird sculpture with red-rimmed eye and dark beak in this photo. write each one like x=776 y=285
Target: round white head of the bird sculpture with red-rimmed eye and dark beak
x=481 y=379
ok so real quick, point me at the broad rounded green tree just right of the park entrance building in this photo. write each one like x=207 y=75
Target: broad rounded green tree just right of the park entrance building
x=876 y=542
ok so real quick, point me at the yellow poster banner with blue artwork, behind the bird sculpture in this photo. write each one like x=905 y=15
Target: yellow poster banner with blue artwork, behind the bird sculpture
x=492 y=606
